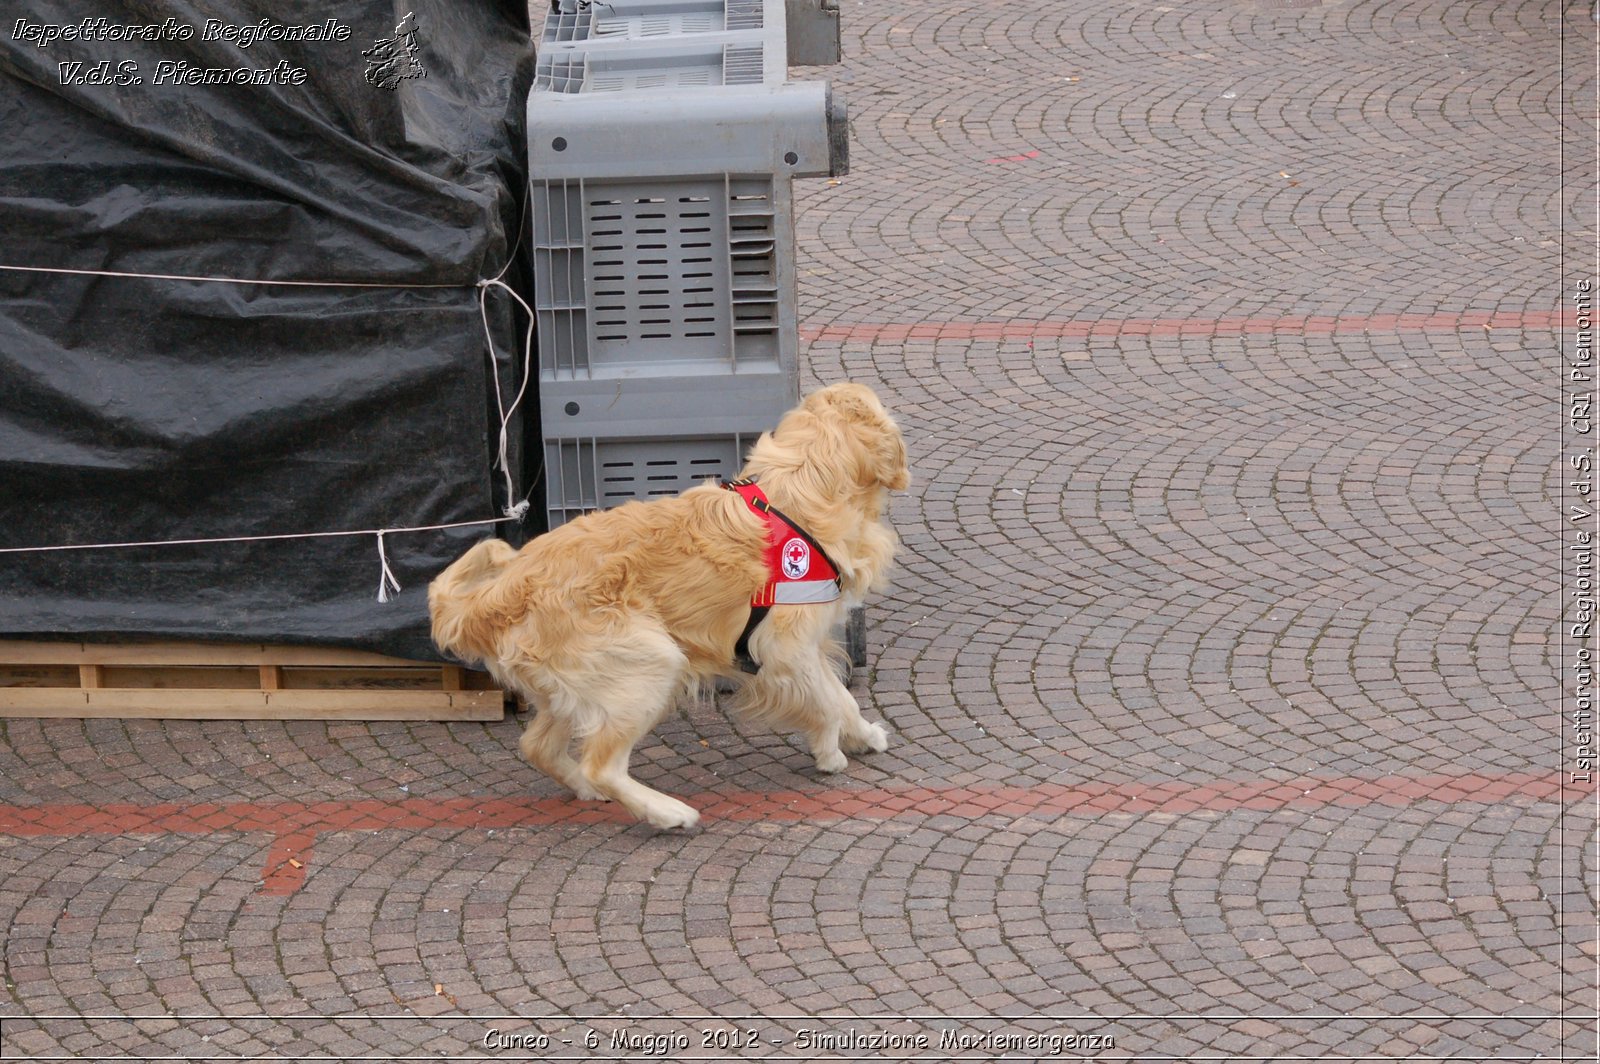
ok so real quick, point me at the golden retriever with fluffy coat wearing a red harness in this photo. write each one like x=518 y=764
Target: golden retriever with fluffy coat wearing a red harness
x=604 y=623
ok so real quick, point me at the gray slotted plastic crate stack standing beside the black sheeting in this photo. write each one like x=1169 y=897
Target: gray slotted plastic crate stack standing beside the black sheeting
x=663 y=137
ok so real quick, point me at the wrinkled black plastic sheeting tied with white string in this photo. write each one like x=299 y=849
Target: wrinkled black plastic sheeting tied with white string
x=137 y=410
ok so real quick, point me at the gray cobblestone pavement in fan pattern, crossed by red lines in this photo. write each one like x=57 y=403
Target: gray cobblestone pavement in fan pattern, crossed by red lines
x=1222 y=674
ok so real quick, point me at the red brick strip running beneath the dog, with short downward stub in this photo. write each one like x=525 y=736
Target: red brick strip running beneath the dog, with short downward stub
x=297 y=825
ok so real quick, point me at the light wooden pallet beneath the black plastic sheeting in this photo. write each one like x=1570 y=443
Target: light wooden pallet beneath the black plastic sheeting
x=236 y=682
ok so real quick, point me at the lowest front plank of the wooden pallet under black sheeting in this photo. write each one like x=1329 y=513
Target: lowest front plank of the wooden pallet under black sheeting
x=254 y=705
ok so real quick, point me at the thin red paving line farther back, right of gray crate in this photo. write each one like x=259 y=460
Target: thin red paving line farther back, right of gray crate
x=1305 y=326
